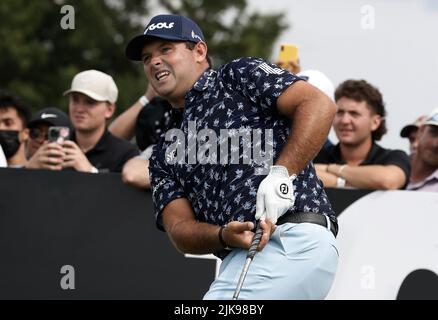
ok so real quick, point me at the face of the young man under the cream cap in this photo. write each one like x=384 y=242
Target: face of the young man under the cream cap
x=86 y=114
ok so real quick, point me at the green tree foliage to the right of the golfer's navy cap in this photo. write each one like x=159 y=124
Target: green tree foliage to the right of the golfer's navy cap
x=230 y=30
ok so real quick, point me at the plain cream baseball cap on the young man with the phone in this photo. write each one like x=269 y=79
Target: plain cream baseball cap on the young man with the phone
x=97 y=85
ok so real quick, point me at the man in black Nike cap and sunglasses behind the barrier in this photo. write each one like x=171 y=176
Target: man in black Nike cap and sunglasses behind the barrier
x=43 y=154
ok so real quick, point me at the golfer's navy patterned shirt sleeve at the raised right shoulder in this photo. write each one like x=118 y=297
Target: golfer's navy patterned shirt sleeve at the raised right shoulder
x=260 y=81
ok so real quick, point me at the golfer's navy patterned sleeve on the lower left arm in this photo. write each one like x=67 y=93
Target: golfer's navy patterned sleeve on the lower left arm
x=165 y=187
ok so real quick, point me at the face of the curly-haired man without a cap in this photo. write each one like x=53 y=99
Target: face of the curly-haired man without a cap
x=354 y=122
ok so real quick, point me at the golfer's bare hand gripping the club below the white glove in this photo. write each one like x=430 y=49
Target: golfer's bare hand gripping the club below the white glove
x=239 y=234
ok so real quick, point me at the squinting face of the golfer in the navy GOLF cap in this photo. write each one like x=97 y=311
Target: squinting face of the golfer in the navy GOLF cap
x=170 y=68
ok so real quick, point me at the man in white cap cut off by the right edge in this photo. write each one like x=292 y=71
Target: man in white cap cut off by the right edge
x=424 y=175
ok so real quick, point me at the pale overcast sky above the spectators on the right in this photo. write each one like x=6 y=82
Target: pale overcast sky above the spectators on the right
x=399 y=55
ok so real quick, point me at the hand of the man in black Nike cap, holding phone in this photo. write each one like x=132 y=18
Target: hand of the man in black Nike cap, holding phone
x=48 y=156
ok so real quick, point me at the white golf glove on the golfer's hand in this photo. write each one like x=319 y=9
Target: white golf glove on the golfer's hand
x=275 y=194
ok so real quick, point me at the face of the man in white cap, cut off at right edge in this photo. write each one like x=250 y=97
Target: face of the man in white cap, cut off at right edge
x=427 y=148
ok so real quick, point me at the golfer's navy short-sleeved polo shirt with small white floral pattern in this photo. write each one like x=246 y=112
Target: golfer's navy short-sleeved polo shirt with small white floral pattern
x=241 y=95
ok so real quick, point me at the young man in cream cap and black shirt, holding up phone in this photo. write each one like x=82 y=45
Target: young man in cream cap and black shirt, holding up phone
x=92 y=99
